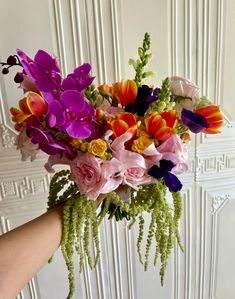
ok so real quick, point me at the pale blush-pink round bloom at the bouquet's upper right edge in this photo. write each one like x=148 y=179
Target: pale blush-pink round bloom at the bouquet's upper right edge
x=183 y=87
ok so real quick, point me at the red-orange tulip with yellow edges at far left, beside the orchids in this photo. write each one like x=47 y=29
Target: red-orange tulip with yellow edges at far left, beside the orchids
x=33 y=104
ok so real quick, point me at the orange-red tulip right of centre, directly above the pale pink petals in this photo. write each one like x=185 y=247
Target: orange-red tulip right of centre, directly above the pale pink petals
x=162 y=126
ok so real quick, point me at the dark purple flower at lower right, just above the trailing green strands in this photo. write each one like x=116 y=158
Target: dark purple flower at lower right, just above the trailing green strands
x=171 y=181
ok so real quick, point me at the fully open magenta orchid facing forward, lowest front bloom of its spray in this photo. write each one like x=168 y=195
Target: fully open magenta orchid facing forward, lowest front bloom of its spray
x=73 y=114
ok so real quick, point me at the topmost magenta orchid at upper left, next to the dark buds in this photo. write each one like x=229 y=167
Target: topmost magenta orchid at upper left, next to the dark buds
x=44 y=71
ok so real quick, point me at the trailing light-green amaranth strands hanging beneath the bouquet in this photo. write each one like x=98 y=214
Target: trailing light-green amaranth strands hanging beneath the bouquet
x=80 y=221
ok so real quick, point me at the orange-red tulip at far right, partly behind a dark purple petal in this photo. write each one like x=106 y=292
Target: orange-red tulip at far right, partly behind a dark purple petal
x=213 y=116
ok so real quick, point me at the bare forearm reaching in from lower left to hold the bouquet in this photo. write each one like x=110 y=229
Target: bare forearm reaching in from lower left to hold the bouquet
x=24 y=250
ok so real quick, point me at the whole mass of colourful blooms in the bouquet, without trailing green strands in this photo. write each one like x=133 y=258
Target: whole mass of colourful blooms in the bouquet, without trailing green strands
x=113 y=135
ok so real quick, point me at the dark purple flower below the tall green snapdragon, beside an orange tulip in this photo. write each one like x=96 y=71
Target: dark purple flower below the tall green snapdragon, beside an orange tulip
x=145 y=97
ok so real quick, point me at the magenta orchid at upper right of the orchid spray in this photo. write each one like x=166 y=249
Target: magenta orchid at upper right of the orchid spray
x=79 y=79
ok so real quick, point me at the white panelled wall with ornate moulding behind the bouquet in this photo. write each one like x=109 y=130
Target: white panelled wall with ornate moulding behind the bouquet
x=194 y=38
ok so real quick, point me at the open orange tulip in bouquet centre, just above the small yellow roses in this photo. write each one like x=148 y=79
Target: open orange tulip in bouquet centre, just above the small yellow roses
x=122 y=123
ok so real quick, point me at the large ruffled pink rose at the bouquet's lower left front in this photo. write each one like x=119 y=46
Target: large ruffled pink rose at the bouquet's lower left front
x=94 y=176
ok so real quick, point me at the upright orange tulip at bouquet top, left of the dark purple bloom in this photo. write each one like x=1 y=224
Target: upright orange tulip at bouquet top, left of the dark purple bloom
x=125 y=92
